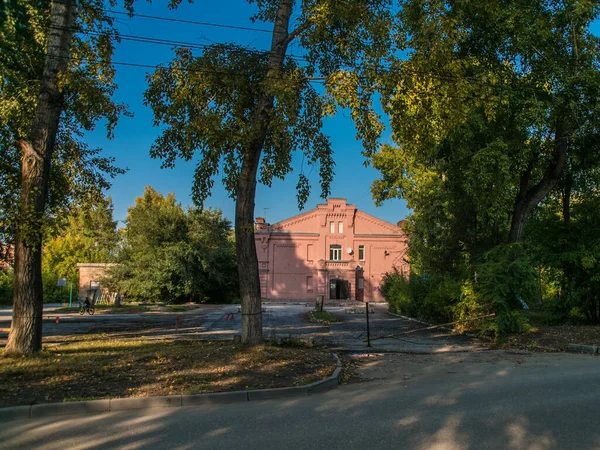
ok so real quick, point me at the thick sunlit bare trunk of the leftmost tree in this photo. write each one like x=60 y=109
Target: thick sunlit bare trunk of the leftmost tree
x=26 y=332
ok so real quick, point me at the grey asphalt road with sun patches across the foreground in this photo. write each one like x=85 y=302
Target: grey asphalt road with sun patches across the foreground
x=481 y=400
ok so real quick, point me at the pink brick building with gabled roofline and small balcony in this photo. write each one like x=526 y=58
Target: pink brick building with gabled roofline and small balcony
x=334 y=250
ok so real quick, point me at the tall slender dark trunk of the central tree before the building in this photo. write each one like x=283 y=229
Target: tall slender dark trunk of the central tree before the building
x=246 y=188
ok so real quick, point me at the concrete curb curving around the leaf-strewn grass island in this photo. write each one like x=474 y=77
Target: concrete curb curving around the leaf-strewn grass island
x=170 y=401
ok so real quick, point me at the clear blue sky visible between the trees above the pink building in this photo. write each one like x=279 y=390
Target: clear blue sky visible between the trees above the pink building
x=134 y=136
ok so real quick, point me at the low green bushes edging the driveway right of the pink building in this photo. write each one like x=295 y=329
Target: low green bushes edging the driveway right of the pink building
x=500 y=284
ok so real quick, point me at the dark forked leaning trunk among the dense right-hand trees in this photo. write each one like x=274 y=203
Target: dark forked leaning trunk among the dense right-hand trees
x=529 y=197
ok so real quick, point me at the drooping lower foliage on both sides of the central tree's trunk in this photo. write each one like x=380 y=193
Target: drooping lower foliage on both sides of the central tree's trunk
x=207 y=104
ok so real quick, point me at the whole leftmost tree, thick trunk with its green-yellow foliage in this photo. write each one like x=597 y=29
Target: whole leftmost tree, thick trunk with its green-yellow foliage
x=63 y=83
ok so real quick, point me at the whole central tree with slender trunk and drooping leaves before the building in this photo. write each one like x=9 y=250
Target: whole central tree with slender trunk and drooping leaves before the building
x=251 y=110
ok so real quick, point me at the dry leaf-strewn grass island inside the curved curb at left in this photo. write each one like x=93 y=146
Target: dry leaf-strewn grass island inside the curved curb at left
x=93 y=367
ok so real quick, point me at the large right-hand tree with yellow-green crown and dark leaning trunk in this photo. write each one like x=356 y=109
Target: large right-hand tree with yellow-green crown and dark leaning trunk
x=523 y=92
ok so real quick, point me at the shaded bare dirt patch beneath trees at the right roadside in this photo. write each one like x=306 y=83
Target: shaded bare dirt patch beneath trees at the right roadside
x=544 y=338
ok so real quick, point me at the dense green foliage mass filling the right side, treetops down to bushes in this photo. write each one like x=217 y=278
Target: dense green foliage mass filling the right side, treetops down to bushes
x=477 y=112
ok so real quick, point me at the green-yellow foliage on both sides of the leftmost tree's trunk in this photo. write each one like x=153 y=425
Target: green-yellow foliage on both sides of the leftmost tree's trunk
x=78 y=171
